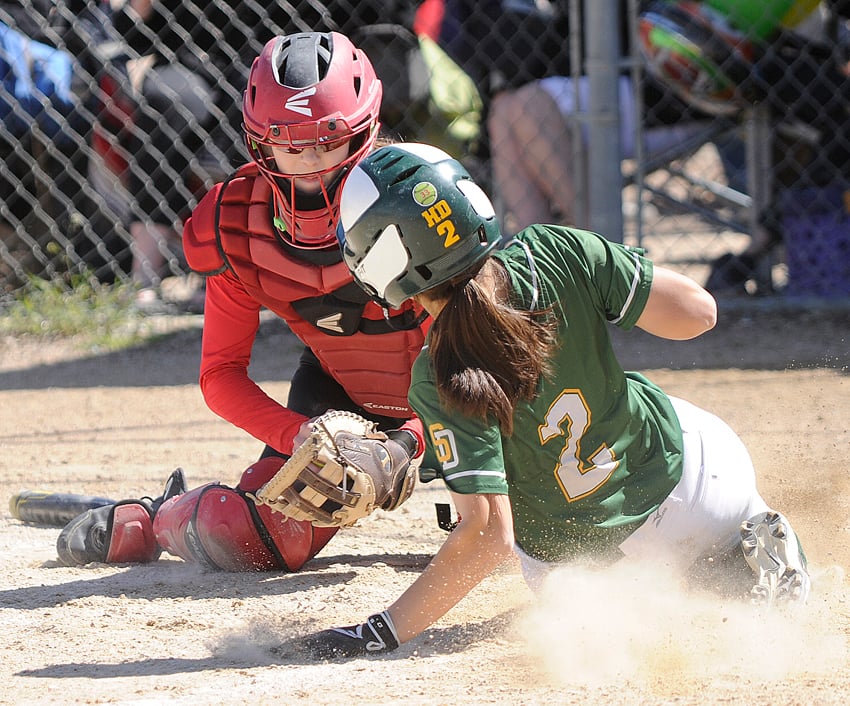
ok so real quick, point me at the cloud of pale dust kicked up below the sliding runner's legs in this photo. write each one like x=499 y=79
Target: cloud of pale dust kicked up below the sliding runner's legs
x=593 y=627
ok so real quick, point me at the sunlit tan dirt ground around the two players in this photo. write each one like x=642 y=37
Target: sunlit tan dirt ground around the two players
x=172 y=633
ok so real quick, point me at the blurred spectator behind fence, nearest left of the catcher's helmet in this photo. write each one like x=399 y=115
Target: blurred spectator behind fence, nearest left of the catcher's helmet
x=173 y=94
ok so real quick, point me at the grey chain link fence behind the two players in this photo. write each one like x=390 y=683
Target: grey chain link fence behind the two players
x=719 y=131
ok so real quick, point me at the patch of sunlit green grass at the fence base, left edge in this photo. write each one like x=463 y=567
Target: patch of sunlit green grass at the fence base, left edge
x=96 y=315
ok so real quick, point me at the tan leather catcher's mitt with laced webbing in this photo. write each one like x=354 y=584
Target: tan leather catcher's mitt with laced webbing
x=341 y=471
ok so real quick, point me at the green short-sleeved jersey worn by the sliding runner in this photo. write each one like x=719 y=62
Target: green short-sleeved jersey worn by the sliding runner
x=598 y=449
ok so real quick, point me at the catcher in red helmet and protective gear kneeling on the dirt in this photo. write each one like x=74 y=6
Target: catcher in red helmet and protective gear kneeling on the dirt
x=266 y=238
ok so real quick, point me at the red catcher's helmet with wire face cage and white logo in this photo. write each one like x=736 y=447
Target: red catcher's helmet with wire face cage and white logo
x=310 y=89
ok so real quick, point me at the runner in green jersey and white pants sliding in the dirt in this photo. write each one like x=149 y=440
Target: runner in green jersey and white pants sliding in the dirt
x=548 y=446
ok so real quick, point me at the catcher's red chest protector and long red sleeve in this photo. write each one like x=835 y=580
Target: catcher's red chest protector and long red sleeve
x=232 y=240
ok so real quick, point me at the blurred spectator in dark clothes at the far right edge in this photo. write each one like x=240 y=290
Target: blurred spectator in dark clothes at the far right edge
x=802 y=77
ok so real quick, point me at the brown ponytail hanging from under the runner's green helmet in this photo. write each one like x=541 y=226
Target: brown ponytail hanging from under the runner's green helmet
x=487 y=354
